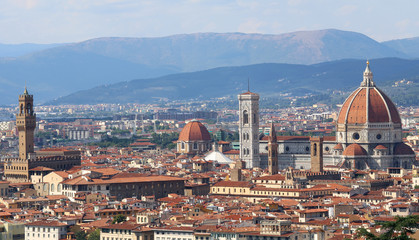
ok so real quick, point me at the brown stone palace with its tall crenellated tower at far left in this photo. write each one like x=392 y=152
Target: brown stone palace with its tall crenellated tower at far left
x=30 y=163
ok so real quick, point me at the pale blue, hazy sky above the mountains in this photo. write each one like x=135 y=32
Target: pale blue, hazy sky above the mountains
x=63 y=21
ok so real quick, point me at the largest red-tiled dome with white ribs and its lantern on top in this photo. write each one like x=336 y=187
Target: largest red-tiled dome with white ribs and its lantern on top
x=368 y=104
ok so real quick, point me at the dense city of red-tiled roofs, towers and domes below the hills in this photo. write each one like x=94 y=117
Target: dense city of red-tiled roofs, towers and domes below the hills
x=185 y=171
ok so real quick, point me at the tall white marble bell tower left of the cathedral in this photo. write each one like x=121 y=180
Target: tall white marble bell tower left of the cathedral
x=249 y=128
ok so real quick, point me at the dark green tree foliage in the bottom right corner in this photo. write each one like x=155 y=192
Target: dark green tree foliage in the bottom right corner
x=400 y=229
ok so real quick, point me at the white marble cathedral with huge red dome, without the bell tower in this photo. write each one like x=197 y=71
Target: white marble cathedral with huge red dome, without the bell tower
x=368 y=136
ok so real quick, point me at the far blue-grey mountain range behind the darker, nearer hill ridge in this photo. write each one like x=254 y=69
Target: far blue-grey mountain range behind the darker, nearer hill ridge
x=55 y=71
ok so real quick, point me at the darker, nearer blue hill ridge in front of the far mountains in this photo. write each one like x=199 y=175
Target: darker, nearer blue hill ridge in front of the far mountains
x=269 y=79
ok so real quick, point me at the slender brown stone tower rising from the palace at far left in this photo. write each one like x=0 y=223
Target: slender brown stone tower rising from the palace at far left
x=26 y=123
